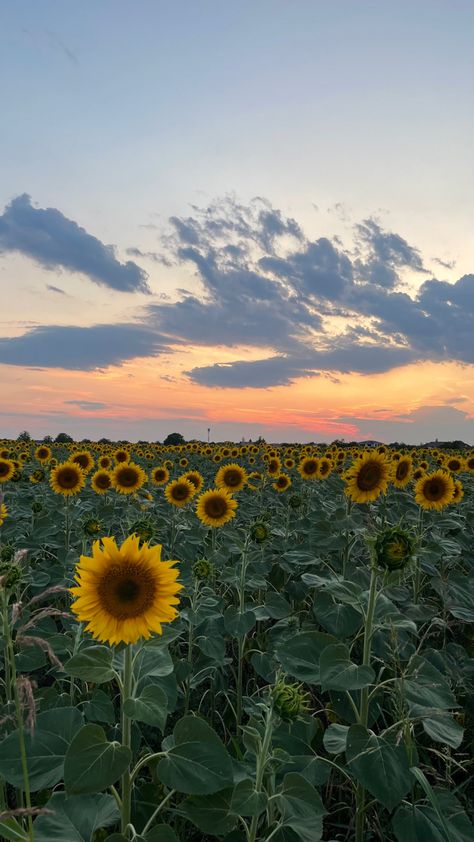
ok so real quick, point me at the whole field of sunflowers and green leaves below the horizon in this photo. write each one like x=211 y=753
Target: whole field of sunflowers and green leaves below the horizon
x=236 y=642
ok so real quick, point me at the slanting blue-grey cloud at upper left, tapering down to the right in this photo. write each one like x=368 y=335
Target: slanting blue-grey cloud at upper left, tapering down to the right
x=56 y=242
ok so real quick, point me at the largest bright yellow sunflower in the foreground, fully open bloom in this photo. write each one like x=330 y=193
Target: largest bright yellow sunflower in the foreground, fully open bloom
x=125 y=593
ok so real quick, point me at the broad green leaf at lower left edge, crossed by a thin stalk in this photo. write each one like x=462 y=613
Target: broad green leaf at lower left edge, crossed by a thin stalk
x=45 y=749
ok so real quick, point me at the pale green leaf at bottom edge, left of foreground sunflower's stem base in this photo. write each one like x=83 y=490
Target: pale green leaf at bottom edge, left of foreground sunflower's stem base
x=75 y=818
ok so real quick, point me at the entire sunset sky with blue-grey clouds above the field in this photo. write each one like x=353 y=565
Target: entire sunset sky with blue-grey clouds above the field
x=248 y=218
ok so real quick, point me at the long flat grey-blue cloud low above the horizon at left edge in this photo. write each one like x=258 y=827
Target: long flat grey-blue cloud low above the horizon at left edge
x=81 y=348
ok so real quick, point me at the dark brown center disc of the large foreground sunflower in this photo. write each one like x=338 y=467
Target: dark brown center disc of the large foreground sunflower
x=127 y=591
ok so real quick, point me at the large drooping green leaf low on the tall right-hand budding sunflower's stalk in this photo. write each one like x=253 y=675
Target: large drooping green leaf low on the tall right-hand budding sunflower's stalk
x=380 y=766
